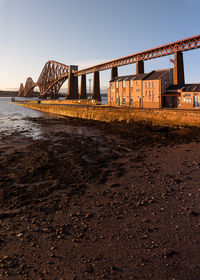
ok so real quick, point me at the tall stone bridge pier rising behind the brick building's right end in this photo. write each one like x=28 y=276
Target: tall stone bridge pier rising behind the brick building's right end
x=179 y=78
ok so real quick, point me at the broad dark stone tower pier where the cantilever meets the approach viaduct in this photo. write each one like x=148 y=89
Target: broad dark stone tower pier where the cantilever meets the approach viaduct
x=72 y=85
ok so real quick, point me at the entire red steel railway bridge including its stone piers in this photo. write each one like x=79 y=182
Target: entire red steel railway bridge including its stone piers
x=54 y=74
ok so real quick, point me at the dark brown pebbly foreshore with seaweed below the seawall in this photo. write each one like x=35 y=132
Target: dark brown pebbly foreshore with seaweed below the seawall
x=91 y=200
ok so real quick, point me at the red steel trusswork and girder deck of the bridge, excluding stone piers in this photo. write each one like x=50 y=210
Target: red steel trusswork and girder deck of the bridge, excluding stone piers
x=54 y=74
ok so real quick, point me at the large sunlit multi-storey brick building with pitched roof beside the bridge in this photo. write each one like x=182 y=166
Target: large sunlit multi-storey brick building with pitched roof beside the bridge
x=140 y=91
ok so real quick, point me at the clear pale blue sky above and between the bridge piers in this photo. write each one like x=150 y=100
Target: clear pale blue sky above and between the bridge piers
x=86 y=32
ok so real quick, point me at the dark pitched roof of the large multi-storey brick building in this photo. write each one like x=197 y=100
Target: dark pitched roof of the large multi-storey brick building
x=154 y=75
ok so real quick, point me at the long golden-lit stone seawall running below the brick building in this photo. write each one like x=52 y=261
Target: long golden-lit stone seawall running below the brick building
x=107 y=113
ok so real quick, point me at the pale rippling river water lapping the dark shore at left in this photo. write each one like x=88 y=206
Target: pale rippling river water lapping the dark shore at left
x=18 y=119
